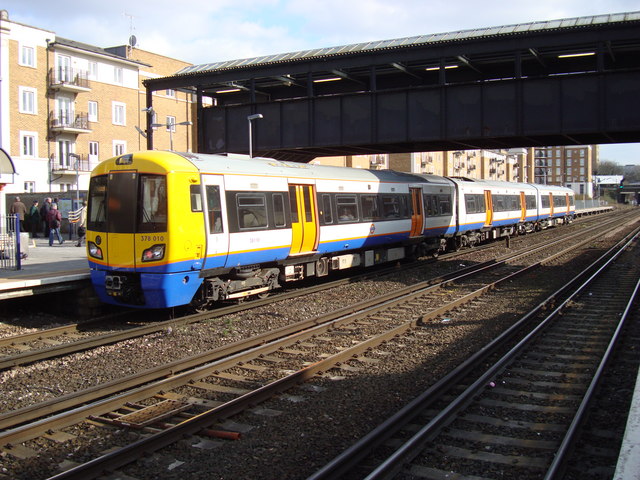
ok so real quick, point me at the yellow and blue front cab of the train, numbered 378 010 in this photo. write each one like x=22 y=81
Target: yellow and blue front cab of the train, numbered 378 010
x=135 y=260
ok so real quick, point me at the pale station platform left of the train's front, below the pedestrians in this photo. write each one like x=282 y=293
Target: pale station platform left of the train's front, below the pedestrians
x=45 y=266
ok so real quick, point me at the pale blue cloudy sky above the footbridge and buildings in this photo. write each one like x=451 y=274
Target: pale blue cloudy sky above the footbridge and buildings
x=206 y=31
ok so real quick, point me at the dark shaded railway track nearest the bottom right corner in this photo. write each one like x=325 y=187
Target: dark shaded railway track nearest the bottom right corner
x=518 y=417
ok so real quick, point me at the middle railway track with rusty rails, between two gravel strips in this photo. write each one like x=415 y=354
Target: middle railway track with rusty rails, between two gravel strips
x=188 y=402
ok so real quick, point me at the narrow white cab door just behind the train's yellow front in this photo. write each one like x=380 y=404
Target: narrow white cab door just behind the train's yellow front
x=214 y=208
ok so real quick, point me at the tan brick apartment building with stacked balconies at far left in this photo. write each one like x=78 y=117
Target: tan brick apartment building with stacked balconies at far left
x=65 y=105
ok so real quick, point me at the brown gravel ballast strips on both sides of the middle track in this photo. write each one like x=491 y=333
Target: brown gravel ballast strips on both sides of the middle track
x=313 y=423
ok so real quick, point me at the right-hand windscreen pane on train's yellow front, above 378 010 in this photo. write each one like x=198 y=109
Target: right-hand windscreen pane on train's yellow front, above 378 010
x=152 y=216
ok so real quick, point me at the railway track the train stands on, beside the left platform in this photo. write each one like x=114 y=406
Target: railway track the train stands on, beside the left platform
x=64 y=340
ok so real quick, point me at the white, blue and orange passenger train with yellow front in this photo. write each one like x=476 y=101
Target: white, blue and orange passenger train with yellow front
x=168 y=229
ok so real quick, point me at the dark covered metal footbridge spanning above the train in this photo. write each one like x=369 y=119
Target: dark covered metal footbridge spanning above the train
x=562 y=82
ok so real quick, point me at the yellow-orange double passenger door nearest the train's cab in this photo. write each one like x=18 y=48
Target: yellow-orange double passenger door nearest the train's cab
x=304 y=219
